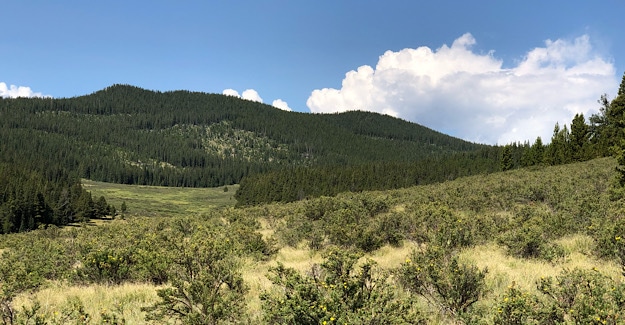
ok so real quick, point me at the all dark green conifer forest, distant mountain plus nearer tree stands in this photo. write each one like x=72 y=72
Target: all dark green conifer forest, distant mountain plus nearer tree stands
x=129 y=135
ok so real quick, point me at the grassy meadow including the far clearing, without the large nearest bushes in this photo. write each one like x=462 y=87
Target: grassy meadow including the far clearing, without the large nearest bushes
x=566 y=217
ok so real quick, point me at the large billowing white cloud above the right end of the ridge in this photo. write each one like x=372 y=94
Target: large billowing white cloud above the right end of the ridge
x=470 y=95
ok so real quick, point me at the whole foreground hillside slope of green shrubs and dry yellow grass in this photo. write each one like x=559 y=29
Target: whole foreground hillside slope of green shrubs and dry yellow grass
x=527 y=226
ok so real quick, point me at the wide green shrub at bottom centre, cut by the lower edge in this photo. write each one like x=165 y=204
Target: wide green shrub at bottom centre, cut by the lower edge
x=338 y=291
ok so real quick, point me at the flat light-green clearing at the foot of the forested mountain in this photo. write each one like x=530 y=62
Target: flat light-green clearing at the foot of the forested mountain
x=163 y=201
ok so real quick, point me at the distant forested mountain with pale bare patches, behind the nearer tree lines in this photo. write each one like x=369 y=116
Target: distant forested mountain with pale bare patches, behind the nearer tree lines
x=129 y=135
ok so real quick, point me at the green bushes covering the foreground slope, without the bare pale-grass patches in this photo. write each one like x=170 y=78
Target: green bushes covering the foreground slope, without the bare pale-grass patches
x=197 y=263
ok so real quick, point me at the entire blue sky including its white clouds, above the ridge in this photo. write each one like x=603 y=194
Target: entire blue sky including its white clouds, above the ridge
x=485 y=71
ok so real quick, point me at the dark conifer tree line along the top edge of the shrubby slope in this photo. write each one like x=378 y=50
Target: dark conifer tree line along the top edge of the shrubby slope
x=601 y=136
